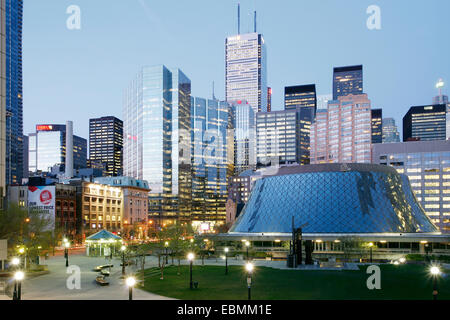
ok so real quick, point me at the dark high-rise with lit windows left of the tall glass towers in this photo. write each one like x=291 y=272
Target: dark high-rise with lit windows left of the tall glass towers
x=106 y=144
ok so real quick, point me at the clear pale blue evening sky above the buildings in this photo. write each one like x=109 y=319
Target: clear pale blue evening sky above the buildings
x=385 y=58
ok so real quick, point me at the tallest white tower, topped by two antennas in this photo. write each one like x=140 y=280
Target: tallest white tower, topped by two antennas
x=245 y=70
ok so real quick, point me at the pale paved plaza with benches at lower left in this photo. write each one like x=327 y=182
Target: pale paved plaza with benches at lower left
x=53 y=285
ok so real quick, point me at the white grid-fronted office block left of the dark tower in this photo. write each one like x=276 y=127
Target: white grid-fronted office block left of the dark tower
x=277 y=136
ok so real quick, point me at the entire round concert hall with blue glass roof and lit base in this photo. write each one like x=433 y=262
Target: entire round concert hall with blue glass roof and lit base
x=335 y=206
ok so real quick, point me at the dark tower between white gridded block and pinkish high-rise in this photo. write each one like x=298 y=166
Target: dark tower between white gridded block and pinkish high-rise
x=304 y=99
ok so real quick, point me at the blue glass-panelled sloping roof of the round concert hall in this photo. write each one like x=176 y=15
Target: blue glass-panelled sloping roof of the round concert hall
x=334 y=198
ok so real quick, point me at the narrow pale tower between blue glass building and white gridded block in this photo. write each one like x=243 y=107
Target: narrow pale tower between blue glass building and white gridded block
x=244 y=124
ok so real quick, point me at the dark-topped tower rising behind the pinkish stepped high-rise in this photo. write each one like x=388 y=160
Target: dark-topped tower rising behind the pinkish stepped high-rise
x=347 y=80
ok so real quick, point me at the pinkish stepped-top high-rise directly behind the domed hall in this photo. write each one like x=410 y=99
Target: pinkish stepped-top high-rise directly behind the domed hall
x=343 y=133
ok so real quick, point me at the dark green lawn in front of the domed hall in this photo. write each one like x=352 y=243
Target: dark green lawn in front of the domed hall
x=397 y=282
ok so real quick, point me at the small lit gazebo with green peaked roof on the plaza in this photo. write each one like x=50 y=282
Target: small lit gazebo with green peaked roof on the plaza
x=102 y=243
